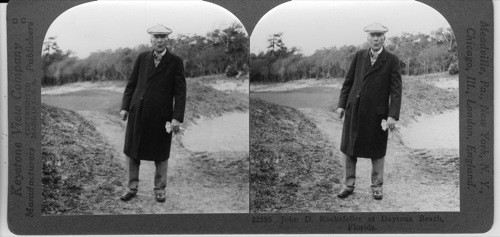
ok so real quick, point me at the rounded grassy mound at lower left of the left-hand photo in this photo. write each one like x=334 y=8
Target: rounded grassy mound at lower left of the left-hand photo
x=79 y=169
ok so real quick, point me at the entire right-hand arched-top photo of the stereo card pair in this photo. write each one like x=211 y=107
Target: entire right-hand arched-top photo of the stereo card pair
x=354 y=107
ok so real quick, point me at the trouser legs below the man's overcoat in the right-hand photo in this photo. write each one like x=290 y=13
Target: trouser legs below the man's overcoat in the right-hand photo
x=377 y=176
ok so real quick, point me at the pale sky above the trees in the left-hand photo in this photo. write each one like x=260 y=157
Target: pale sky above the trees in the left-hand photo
x=106 y=25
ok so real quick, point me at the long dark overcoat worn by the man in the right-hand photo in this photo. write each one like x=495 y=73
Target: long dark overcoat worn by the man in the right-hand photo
x=369 y=94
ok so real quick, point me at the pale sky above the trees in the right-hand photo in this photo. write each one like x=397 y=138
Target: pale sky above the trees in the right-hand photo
x=313 y=25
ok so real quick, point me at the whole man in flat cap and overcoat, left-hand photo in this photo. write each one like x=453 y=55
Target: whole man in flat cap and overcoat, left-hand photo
x=154 y=101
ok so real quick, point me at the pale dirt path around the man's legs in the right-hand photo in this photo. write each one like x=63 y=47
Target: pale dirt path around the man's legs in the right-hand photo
x=408 y=184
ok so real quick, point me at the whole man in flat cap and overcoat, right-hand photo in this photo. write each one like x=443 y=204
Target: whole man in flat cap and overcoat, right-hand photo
x=370 y=99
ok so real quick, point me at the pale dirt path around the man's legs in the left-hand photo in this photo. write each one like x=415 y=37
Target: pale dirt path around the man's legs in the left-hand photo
x=198 y=181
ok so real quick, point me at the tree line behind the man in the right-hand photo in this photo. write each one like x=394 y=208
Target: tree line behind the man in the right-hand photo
x=418 y=54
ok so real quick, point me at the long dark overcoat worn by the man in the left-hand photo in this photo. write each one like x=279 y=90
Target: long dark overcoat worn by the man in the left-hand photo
x=153 y=96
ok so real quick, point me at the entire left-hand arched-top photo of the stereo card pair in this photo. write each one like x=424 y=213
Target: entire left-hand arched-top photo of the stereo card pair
x=144 y=110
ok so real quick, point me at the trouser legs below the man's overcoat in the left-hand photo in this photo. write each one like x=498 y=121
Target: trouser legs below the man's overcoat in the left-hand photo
x=160 y=182
